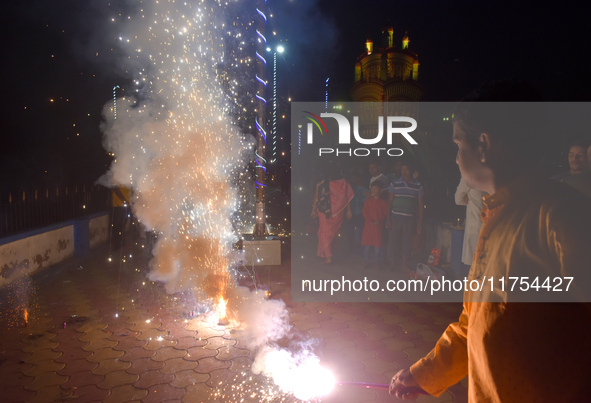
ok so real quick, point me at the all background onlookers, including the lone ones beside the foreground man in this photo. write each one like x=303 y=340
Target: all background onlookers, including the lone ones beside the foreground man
x=379 y=208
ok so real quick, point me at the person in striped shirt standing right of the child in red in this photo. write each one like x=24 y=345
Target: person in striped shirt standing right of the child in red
x=405 y=220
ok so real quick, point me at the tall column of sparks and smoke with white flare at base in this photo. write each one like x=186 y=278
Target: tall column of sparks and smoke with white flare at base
x=176 y=147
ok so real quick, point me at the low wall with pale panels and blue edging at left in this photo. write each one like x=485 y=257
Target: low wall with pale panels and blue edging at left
x=32 y=251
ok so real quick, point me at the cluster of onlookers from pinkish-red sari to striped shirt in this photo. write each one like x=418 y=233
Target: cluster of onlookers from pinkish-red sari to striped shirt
x=385 y=217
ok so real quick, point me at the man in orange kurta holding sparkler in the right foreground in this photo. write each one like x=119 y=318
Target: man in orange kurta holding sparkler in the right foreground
x=515 y=346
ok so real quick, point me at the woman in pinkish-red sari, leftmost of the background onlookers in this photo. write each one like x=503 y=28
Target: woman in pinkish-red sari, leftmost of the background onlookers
x=331 y=202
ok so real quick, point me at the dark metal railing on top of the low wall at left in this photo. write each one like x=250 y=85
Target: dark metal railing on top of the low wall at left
x=29 y=209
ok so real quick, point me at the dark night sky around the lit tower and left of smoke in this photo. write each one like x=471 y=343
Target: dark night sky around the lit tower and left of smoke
x=60 y=64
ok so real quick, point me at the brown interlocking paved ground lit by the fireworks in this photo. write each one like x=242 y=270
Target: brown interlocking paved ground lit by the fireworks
x=78 y=346
